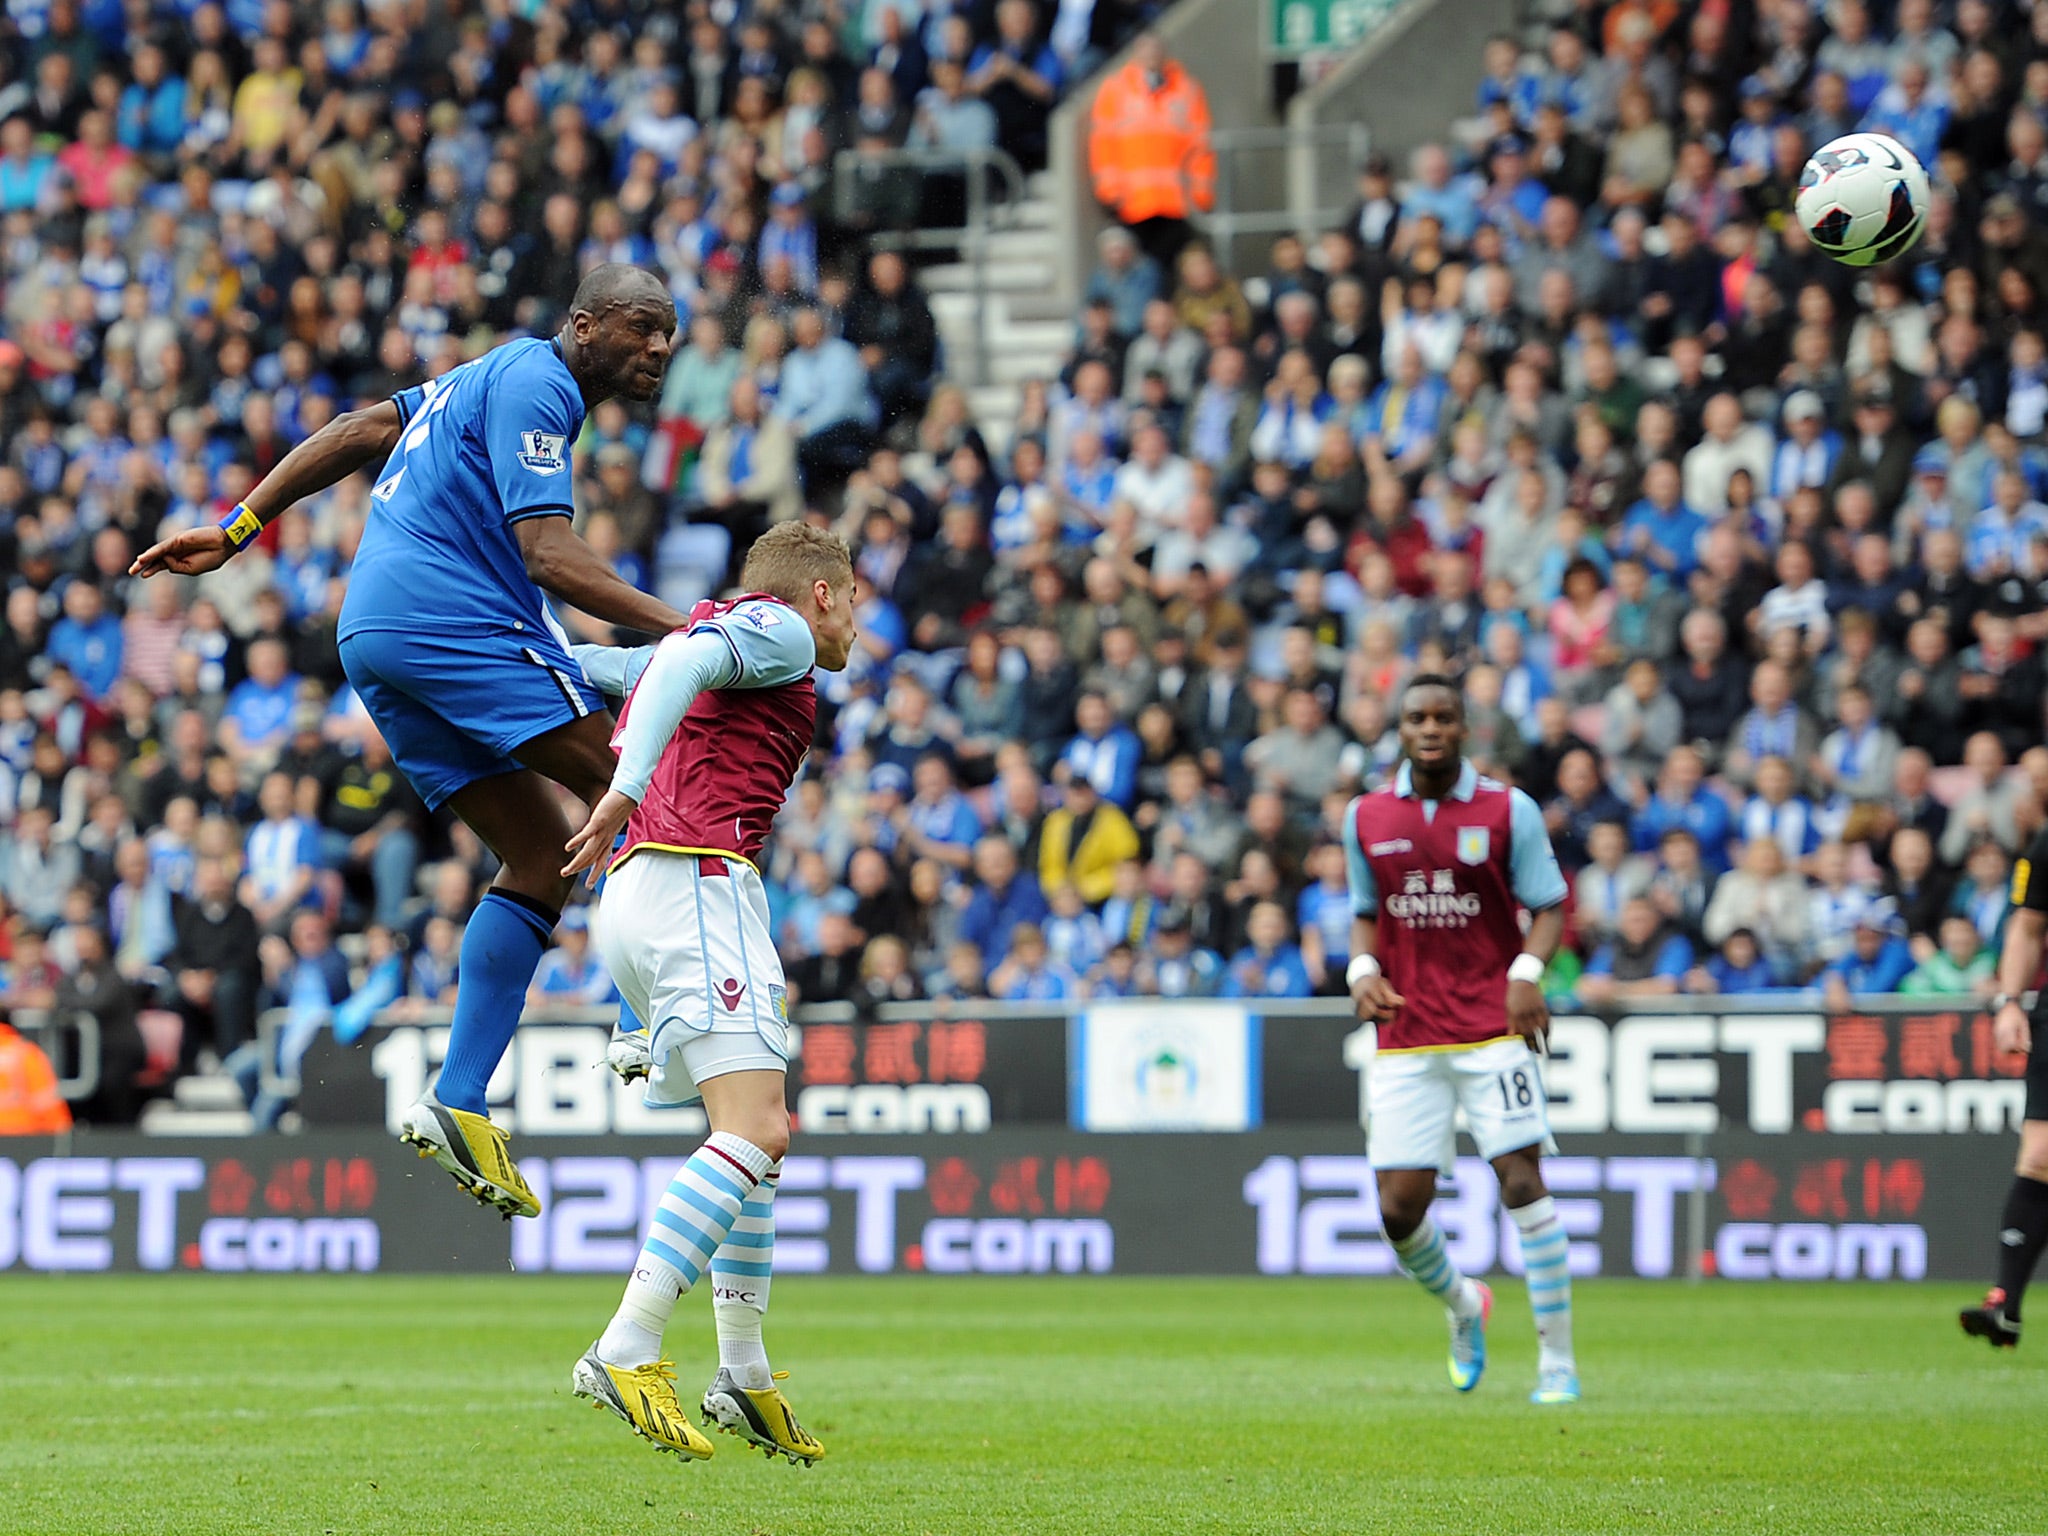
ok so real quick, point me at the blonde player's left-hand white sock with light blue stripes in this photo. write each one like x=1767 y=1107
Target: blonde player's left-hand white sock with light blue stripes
x=695 y=1215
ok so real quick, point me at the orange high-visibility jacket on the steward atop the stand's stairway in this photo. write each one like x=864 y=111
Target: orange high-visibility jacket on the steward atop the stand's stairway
x=1148 y=151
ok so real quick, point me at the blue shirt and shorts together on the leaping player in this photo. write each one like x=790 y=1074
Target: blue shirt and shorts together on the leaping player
x=443 y=634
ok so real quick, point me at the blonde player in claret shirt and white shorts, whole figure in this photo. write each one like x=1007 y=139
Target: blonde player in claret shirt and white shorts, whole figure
x=718 y=722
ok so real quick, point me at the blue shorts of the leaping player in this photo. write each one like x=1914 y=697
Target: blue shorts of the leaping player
x=458 y=708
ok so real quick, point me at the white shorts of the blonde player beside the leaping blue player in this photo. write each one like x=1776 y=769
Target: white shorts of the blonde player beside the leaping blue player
x=693 y=957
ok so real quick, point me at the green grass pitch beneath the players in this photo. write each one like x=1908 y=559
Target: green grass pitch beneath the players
x=361 y=1406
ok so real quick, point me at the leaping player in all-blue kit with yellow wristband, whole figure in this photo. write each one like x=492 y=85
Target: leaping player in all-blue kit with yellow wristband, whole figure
x=450 y=642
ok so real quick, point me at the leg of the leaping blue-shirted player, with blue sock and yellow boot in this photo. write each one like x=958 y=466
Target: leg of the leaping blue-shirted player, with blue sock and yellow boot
x=521 y=820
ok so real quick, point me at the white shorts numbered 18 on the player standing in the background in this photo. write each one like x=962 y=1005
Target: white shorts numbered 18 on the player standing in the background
x=1416 y=1097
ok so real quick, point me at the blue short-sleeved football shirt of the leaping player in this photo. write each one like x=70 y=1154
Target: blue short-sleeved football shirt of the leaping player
x=484 y=447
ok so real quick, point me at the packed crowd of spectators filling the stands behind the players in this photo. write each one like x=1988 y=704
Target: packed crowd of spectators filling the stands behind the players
x=1742 y=556
